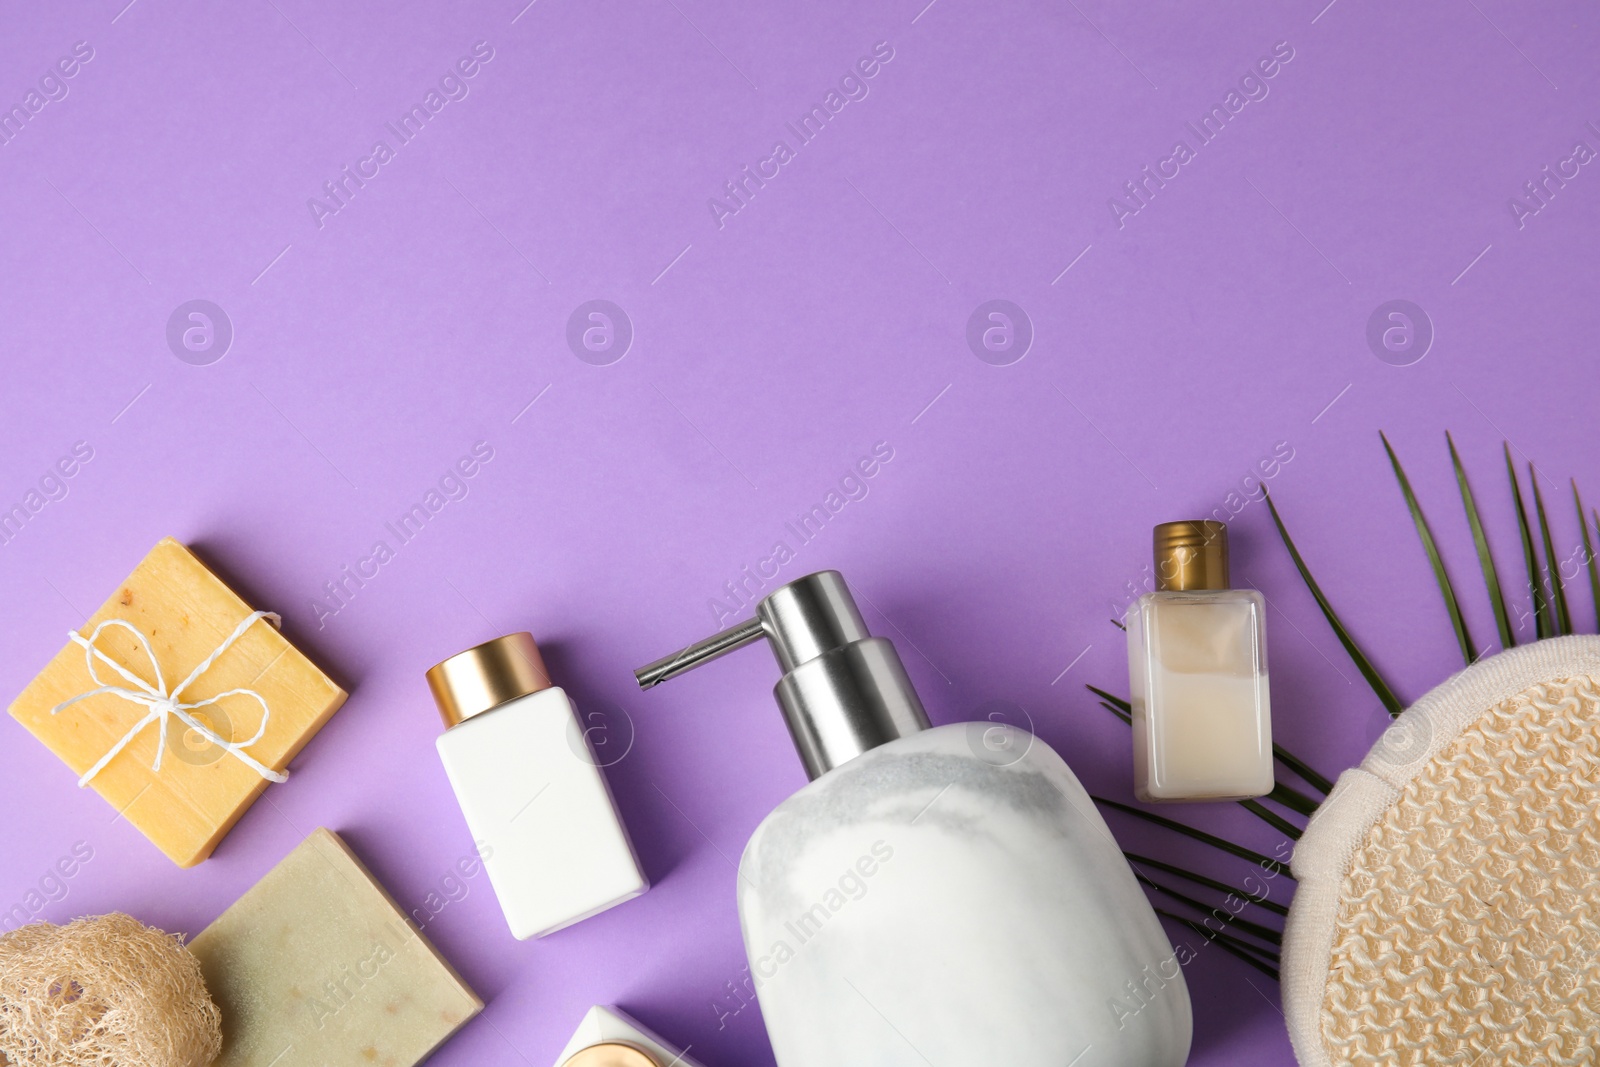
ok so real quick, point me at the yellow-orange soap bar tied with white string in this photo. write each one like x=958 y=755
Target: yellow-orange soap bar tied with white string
x=186 y=612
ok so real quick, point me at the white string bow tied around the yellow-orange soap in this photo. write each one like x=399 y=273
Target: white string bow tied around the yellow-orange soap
x=164 y=703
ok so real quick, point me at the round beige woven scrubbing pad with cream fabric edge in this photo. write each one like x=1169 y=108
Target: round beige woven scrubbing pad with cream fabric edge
x=1449 y=911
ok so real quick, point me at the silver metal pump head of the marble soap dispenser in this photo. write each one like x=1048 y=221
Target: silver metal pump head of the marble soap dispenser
x=844 y=692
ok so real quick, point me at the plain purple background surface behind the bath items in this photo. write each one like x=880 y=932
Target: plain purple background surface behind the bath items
x=826 y=316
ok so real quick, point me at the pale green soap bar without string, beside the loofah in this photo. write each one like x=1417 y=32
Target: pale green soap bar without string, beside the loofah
x=318 y=965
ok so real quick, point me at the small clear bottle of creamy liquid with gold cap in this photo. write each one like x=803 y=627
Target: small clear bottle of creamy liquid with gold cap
x=1198 y=669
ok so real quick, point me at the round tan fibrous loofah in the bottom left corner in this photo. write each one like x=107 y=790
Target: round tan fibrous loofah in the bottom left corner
x=103 y=993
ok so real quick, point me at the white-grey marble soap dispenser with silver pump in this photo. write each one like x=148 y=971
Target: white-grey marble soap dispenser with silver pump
x=935 y=895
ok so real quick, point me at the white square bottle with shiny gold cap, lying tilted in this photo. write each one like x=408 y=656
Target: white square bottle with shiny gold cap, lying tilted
x=530 y=788
